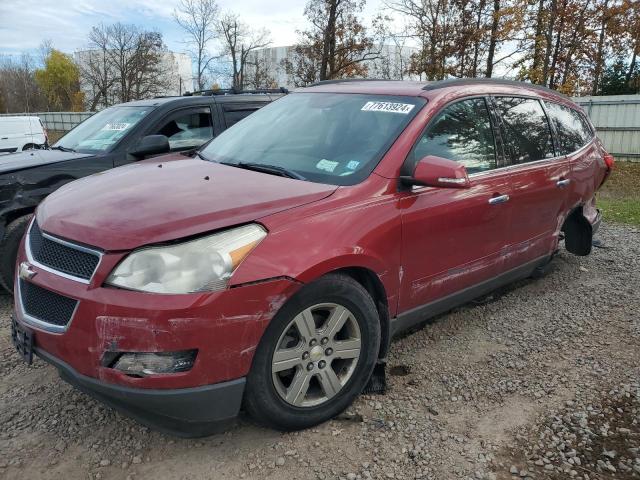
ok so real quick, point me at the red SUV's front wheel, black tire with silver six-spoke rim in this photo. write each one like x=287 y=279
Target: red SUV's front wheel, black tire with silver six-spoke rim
x=329 y=298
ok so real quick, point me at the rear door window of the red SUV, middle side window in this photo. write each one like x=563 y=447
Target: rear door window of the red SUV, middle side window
x=526 y=132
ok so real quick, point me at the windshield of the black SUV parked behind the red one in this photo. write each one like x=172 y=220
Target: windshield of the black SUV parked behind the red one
x=100 y=132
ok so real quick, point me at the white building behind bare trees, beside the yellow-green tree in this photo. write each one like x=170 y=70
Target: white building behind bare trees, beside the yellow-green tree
x=176 y=68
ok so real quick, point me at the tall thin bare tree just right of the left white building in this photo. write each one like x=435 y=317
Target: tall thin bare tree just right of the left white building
x=199 y=19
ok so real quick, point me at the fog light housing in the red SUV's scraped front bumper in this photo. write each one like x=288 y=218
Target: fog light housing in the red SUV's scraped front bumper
x=143 y=364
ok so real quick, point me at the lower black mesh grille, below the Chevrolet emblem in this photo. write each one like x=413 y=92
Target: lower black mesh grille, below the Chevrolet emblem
x=45 y=305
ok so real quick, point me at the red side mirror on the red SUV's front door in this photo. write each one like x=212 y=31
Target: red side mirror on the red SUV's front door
x=432 y=171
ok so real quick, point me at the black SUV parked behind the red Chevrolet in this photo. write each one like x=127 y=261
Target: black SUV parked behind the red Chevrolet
x=112 y=137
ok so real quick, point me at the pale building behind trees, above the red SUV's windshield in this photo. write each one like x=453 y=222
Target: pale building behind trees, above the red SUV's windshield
x=391 y=65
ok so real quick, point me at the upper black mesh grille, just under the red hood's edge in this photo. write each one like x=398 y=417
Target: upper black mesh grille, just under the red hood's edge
x=61 y=257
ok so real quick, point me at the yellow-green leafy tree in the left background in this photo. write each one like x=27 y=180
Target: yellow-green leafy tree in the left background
x=60 y=81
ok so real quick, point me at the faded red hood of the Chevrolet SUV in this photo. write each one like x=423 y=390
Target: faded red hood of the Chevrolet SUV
x=167 y=198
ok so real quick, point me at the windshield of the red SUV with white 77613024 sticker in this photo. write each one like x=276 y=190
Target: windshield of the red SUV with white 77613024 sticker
x=324 y=137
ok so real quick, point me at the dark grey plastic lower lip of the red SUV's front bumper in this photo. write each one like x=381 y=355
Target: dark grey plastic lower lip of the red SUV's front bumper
x=184 y=412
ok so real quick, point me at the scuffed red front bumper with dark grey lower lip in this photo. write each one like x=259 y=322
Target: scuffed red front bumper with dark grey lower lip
x=224 y=327
